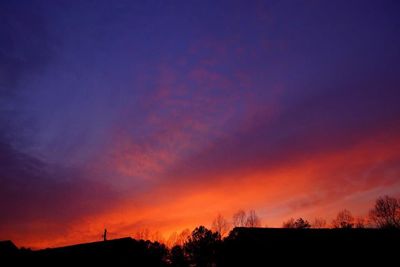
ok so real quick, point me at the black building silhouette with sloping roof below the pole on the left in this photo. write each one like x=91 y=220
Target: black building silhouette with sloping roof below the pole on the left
x=115 y=252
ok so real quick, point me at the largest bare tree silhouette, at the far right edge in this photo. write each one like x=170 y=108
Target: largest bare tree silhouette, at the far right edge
x=386 y=212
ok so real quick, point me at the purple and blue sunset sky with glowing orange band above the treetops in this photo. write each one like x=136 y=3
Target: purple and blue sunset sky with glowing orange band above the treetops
x=159 y=115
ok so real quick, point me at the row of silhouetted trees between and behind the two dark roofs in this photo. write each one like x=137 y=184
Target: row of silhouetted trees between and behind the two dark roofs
x=203 y=246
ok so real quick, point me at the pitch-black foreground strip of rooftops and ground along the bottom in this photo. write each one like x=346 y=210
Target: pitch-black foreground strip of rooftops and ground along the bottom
x=243 y=247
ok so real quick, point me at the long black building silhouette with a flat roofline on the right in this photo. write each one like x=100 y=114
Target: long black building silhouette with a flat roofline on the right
x=313 y=247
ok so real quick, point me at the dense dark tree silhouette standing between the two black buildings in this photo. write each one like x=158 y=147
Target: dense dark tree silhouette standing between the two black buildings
x=201 y=247
